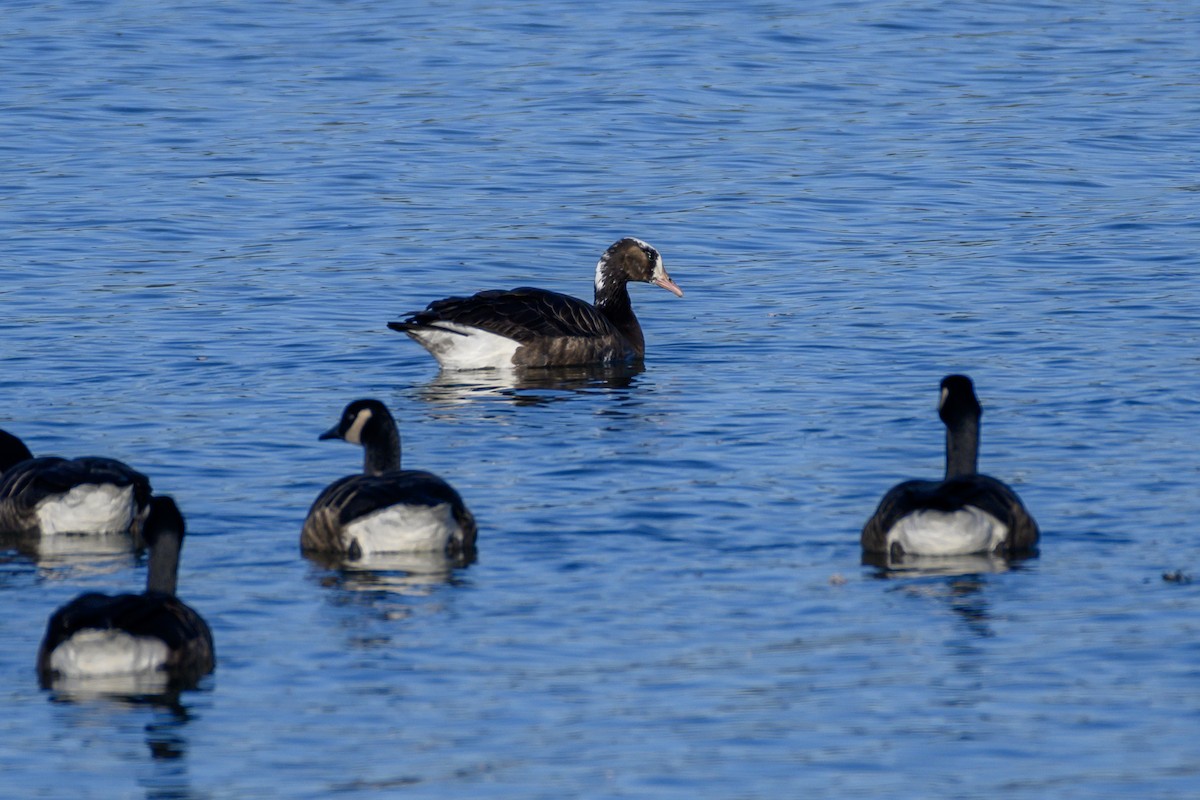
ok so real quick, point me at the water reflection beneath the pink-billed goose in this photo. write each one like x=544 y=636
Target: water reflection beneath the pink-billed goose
x=529 y=386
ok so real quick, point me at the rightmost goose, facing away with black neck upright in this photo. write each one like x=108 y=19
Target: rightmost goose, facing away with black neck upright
x=968 y=513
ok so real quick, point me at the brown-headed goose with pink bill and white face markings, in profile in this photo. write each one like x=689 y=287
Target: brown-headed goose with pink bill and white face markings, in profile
x=536 y=328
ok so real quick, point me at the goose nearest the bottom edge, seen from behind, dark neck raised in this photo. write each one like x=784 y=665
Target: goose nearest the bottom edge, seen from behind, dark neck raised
x=153 y=635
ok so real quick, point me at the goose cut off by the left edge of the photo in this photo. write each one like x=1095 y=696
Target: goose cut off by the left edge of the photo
x=61 y=496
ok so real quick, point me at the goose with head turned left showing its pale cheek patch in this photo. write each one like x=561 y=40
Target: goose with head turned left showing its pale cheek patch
x=386 y=509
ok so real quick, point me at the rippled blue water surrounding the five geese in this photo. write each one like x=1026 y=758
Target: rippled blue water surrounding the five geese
x=211 y=210
